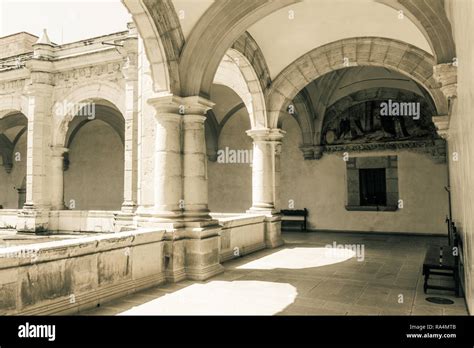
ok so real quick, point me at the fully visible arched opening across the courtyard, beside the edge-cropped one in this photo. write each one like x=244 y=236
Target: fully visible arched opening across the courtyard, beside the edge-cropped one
x=94 y=160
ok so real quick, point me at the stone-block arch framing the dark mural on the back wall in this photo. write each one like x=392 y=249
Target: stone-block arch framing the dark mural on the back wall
x=365 y=51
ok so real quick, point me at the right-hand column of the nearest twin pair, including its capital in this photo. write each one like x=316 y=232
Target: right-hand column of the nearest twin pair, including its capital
x=195 y=159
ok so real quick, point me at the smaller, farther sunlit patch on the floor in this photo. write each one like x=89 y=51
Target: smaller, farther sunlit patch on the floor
x=297 y=258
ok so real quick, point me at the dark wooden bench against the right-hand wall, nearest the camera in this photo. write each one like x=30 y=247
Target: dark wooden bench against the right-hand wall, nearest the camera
x=443 y=261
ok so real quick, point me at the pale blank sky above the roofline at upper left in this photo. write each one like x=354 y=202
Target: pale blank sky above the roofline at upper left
x=65 y=20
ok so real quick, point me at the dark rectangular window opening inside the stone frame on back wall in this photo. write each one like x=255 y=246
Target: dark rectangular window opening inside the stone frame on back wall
x=373 y=188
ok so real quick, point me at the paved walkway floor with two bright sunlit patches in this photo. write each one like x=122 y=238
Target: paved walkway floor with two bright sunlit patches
x=305 y=278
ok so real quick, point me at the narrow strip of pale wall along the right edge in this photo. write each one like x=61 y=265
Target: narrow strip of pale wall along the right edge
x=460 y=140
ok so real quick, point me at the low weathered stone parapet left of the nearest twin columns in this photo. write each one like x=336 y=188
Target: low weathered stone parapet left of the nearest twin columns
x=65 y=277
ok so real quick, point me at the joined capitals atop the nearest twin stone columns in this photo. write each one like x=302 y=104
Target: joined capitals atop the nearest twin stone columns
x=173 y=104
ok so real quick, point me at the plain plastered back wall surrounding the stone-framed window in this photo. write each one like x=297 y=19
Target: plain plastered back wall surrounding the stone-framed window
x=320 y=186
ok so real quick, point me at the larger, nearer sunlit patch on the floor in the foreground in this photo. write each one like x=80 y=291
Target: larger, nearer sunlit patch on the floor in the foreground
x=221 y=298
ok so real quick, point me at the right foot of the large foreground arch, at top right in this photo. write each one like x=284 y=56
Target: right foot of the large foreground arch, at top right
x=431 y=19
